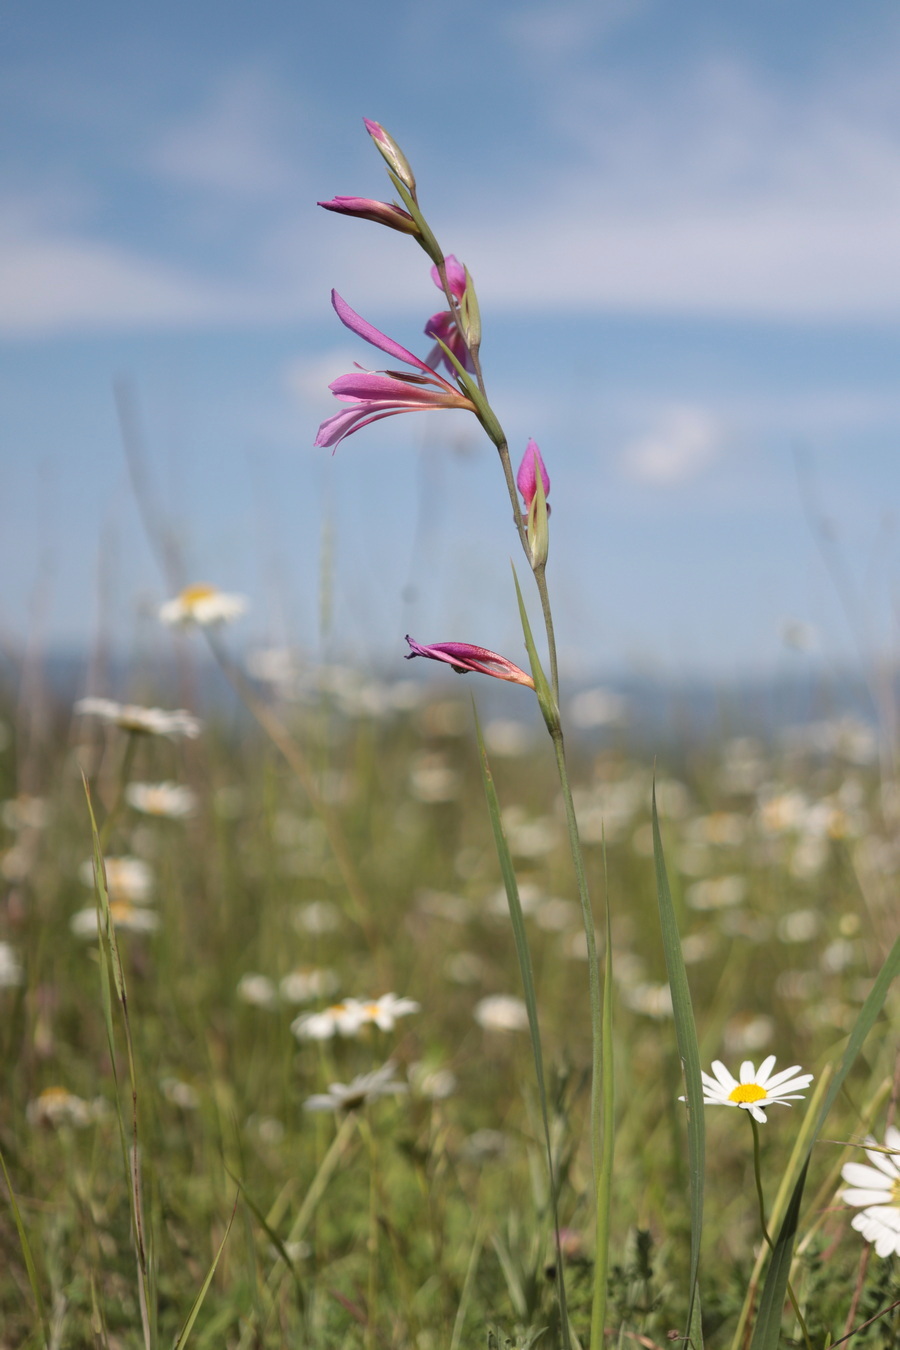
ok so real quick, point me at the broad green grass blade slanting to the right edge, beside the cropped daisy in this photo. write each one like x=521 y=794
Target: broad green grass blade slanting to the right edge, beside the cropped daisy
x=768 y=1325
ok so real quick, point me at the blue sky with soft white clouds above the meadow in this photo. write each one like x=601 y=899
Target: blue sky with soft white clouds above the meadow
x=683 y=223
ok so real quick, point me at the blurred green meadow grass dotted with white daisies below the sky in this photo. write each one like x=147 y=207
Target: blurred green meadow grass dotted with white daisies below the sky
x=424 y=1220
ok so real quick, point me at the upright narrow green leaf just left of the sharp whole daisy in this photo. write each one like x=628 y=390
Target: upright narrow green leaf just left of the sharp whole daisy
x=690 y=1056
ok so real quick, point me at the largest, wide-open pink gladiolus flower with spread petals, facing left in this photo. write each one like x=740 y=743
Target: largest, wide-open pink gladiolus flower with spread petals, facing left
x=384 y=394
